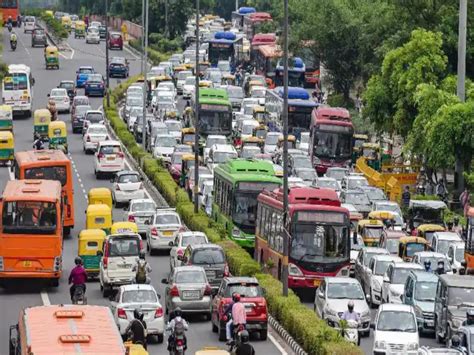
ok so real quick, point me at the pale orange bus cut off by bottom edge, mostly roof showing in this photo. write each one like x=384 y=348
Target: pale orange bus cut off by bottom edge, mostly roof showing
x=58 y=329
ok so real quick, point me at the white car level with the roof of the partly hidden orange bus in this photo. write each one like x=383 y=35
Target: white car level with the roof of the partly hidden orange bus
x=109 y=158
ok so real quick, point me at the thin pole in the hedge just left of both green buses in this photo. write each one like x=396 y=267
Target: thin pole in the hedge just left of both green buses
x=196 y=115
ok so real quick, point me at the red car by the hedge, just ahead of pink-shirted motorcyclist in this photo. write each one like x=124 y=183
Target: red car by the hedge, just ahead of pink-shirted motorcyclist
x=251 y=296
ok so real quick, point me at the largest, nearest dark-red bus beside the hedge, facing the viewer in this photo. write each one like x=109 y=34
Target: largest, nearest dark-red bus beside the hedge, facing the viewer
x=320 y=235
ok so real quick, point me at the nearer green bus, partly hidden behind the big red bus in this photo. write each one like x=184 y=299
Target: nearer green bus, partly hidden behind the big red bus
x=237 y=183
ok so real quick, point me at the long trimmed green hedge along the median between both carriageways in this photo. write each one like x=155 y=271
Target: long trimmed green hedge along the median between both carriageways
x=313 y=334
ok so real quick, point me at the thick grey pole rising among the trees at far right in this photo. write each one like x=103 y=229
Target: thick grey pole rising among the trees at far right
x=461 y=87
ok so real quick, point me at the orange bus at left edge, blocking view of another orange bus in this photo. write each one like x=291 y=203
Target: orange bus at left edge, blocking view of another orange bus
x=31 y=235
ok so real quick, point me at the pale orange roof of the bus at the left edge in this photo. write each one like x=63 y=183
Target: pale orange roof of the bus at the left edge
x=32 y=190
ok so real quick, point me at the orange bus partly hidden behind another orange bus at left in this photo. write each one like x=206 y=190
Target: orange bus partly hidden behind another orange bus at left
x=49 y=165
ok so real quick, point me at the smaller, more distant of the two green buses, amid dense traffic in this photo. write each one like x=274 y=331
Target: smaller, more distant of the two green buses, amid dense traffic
x=215 y=112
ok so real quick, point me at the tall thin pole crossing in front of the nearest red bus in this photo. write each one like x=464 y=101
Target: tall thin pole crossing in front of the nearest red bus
x=286 y=240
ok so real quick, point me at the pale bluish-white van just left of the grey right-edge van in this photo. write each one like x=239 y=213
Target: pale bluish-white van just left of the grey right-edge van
x=420 y=292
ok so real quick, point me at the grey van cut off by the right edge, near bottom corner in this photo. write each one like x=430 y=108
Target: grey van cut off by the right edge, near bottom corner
x=454 y=296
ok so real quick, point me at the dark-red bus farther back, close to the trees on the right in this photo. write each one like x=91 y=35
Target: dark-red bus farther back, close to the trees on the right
x=331 y=138
